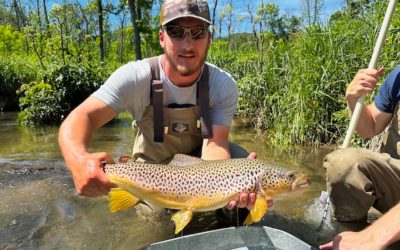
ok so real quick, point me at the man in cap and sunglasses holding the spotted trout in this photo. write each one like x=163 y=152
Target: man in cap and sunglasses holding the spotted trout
x=166 y=123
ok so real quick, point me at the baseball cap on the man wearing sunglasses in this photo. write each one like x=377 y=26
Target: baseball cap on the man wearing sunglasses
x=174 y=9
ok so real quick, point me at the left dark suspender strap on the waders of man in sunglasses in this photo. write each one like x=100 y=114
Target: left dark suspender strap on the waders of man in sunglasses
x=156 y=97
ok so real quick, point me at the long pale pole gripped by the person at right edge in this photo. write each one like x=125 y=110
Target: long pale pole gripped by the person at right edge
x=372 y=65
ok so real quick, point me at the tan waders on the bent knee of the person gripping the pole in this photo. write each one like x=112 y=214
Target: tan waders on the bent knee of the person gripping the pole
x=358 y=178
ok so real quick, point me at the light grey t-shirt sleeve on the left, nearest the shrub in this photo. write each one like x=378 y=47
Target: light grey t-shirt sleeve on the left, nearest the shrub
x=128 y=88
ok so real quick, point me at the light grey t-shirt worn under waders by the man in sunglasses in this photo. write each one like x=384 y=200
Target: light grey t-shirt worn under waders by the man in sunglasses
x=128 y=88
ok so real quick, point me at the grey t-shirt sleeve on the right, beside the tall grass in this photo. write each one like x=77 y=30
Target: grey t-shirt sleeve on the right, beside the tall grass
x=223 y=97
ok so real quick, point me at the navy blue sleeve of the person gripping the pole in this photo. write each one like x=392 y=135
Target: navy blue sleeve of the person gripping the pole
x=389 y=93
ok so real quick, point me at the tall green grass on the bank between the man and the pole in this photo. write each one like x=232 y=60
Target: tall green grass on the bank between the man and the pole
x=295 y=89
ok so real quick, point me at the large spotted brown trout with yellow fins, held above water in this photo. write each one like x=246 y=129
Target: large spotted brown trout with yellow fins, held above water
x=189 y=184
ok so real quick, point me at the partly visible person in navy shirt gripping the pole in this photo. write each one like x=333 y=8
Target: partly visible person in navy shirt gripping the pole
x=358 y=179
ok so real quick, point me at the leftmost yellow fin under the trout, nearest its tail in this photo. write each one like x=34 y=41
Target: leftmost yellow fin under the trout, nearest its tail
x=120 y=199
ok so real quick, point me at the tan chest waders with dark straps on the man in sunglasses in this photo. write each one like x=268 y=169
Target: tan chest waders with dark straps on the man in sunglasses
x=165 y=131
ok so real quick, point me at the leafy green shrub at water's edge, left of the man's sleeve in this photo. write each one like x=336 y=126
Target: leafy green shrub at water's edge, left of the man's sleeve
x=62 y=89
